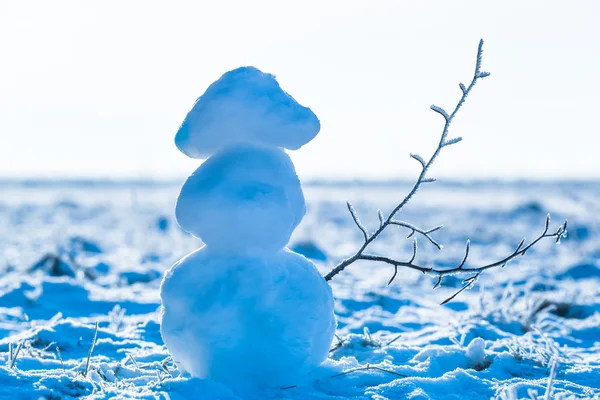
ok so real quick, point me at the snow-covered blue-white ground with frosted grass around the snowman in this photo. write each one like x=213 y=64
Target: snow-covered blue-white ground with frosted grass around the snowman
x=105 y=247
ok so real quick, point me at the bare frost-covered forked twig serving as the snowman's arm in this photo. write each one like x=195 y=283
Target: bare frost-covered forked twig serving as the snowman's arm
x=361 y=253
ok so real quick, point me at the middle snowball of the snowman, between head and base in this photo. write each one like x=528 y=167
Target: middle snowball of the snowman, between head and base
x=244 y=198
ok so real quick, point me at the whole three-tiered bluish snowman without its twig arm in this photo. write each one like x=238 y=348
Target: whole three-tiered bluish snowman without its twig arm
x=245 y=310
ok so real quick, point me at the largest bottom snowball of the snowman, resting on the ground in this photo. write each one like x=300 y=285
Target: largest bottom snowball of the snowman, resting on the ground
x=247 y=321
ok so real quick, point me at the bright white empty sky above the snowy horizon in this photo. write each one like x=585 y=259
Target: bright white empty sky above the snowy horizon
x=98 y=89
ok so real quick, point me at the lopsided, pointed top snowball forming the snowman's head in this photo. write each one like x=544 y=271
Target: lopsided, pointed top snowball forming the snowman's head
x=245 y=106
